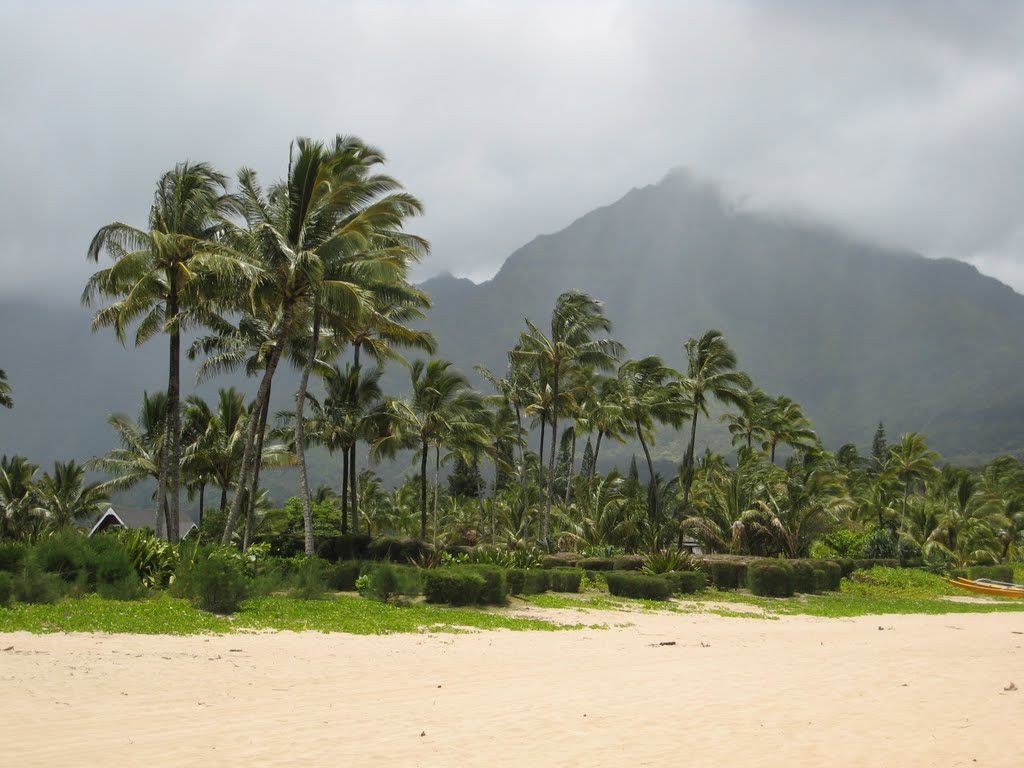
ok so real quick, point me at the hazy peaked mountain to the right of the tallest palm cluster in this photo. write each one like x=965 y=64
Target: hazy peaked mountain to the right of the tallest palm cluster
x=857 y=333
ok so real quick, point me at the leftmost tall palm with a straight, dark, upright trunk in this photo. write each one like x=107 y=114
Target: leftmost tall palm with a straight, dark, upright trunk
x=158 y=280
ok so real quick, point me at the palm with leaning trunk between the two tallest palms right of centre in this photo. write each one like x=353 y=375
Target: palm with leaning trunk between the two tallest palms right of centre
x=646 y=399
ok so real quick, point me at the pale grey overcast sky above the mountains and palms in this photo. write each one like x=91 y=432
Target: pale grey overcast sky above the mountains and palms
x=902 y=121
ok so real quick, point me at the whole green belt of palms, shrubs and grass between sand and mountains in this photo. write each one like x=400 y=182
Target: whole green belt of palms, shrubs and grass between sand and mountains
x=505 y=496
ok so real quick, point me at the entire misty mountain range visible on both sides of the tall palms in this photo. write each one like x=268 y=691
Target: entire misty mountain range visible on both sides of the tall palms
x=856 y=333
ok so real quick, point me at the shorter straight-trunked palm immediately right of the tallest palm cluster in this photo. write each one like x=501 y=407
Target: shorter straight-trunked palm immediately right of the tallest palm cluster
x=441 y=406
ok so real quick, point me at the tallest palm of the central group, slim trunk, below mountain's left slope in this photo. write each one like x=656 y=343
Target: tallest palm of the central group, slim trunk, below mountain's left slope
x=570 y=348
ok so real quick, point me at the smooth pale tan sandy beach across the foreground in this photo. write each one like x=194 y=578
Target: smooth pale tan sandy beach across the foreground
x=667 y=690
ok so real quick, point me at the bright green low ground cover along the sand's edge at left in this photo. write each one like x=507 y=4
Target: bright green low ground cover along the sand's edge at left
x=166 y=616
